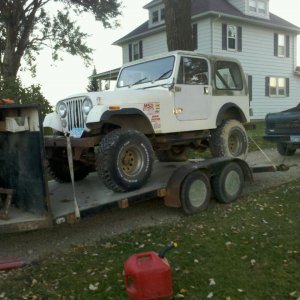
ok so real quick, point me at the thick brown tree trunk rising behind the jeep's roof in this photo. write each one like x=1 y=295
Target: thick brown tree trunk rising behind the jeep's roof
x=178 y=24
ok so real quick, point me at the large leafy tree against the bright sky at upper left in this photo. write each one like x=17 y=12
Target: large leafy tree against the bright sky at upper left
x=27 y=26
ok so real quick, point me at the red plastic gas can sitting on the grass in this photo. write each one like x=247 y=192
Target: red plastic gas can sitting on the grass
x=148 y=276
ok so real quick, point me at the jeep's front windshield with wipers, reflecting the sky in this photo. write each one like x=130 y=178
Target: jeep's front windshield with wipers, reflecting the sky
x=149 y=71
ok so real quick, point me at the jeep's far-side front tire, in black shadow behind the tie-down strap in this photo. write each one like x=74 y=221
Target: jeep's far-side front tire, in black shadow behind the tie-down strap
x=59 y=170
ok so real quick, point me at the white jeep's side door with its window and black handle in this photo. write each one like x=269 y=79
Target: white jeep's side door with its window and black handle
x=192 y=90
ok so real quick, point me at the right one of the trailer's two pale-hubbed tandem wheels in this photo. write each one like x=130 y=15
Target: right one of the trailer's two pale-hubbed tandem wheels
x=228 y=185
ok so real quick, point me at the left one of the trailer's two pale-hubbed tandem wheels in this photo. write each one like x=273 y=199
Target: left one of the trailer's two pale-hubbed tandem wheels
x=195 y=192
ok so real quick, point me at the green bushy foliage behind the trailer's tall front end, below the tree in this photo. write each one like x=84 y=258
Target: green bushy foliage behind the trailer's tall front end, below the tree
x=13 y=89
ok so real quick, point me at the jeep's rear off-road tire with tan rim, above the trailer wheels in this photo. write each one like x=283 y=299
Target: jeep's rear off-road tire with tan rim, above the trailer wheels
x=229 y=139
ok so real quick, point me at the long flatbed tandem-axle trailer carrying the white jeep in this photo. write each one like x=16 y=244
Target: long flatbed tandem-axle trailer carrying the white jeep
x=38 y=203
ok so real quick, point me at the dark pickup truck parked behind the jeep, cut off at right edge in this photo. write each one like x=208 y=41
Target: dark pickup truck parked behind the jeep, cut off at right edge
x=284 y=129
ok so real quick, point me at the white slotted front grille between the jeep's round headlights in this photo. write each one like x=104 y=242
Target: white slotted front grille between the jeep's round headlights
x=75 y=115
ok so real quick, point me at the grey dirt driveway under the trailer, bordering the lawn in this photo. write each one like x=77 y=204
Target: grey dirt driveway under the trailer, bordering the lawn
x=34 y=245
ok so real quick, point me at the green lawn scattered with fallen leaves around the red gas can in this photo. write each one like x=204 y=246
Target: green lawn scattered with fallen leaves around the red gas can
x=250 y=249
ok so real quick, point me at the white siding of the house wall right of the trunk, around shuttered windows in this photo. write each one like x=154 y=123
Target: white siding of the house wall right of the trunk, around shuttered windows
x=258 y=50
